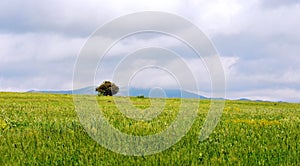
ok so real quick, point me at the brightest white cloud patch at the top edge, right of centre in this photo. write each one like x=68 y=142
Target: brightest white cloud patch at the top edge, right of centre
x=218 y=17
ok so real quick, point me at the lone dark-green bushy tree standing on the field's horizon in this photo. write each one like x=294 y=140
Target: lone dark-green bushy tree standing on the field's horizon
x=107 y=88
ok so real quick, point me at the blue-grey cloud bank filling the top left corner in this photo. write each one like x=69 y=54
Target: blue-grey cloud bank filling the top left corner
x=64 y=17
